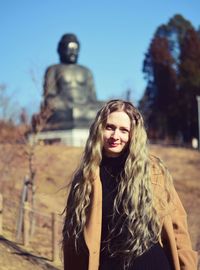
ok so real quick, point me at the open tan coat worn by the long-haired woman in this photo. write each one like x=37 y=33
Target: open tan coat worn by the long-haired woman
x=174 y=236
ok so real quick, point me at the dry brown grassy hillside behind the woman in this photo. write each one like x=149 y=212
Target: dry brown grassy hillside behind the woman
x=54 y=165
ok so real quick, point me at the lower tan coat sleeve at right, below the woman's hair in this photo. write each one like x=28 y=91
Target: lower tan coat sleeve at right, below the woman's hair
x=187 y=257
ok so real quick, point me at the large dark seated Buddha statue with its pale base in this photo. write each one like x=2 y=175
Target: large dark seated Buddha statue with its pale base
x=70 y=94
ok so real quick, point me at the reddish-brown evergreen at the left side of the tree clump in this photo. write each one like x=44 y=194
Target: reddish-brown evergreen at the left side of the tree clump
x=161 y=88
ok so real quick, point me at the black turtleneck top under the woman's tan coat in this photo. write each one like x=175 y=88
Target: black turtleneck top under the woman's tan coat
x=154 y=258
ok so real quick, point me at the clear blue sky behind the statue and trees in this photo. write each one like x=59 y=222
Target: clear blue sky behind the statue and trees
x=114 y=37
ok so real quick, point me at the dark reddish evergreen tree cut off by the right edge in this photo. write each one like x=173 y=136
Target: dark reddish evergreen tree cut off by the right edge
x=189 y=84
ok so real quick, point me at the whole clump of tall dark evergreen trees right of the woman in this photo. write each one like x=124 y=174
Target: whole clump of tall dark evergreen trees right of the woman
x=171 y=68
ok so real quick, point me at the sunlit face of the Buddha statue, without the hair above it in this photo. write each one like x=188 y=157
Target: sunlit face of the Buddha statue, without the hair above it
x=70 y=53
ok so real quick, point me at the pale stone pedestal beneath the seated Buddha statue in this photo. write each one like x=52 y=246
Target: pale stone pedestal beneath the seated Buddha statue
x=73 y=137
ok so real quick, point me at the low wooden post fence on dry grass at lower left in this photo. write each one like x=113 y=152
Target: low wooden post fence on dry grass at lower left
x=51 y=228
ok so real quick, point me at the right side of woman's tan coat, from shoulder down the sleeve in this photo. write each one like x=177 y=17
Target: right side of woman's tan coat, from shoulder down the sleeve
x=174 y=235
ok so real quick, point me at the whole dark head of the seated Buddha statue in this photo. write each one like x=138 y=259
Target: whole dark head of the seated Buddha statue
x=68 y=49
